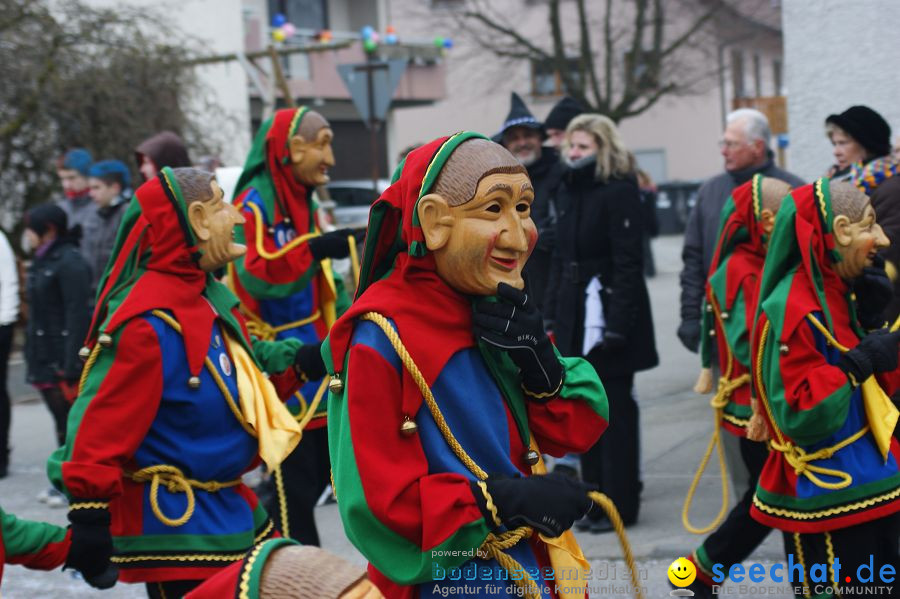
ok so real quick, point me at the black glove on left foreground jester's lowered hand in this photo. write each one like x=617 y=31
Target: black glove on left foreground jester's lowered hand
x=91 y=546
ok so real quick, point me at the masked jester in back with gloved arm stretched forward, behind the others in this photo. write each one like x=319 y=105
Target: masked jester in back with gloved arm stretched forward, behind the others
x=286 y=286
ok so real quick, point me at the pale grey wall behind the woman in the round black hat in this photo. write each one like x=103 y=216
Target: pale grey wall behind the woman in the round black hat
x=837 y=54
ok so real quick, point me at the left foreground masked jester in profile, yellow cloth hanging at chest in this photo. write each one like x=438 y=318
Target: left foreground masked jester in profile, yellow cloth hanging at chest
x=173 y=407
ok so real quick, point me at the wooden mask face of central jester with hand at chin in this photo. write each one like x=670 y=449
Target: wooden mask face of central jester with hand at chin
x=485 y=241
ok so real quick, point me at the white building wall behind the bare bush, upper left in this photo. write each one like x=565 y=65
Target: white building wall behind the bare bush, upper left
x=216 y=27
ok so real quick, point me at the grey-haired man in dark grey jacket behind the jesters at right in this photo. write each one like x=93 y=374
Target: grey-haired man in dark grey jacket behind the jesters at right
x=745 y=148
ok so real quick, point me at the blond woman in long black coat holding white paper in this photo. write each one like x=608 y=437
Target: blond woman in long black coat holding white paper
x=597 y=302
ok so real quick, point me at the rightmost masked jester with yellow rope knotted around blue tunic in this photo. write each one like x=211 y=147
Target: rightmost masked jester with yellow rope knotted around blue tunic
x=831 y=482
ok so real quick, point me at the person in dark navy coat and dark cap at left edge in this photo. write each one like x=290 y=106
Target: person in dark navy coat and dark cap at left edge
x=58 y=291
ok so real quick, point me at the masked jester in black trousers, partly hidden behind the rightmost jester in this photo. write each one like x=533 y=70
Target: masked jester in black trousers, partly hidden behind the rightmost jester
x=731 y=300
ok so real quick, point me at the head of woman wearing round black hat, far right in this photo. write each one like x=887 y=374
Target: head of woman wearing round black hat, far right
x=858 y=135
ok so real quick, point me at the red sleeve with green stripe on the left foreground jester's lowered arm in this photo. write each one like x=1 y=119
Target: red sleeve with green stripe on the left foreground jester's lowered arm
x=121 y=398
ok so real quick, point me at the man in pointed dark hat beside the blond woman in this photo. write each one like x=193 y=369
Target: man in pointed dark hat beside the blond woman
x=522 y=135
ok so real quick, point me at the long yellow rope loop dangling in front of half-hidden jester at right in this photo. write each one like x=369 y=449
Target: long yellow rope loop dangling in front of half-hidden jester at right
x=723 y=395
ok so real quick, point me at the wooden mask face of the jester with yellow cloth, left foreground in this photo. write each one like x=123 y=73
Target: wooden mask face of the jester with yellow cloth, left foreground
x=213 y=221
